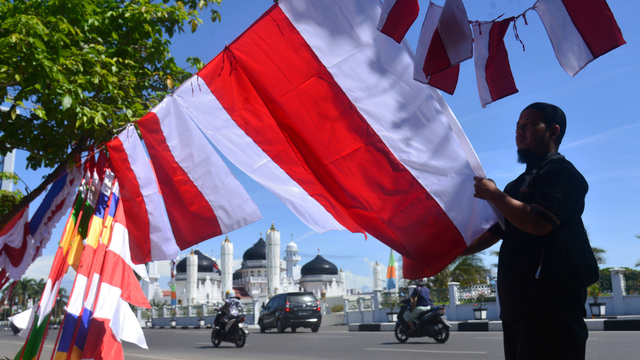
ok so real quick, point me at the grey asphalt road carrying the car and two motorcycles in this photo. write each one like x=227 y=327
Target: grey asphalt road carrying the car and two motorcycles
x=334 y=342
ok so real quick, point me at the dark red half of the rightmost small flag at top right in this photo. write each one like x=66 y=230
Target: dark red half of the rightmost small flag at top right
x=595 y=22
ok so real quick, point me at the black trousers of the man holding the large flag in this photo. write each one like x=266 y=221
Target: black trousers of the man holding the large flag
x=546 y=333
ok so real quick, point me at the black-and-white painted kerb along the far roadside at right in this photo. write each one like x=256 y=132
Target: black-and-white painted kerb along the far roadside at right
x=610 y=323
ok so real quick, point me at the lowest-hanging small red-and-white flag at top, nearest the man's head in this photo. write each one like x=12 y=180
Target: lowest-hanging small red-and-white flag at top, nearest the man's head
x=493 y=72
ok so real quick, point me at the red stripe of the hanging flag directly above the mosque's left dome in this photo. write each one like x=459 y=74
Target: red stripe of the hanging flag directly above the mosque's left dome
x=180 y=194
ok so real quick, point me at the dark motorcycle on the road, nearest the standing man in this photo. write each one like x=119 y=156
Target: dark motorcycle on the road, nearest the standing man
x=432 y=323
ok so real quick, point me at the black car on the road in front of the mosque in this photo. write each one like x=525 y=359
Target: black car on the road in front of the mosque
x=291 y=310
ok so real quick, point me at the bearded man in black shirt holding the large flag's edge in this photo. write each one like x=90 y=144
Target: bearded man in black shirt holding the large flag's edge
x=542 y=303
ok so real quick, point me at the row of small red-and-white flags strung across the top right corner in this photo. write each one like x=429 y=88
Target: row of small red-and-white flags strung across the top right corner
x=580 y=31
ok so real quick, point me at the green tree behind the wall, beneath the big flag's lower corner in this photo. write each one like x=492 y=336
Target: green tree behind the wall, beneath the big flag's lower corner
x=467 y=270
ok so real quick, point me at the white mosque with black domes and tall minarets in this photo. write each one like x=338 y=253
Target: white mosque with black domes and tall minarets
x=200 y=280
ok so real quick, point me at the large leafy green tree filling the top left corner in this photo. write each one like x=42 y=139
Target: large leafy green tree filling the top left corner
x=73 y=72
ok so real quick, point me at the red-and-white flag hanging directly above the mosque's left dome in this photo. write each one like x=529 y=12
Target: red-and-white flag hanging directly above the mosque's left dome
x=202 y=197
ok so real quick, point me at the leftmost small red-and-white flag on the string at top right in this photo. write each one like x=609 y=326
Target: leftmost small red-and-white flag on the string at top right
x=397 y=17
